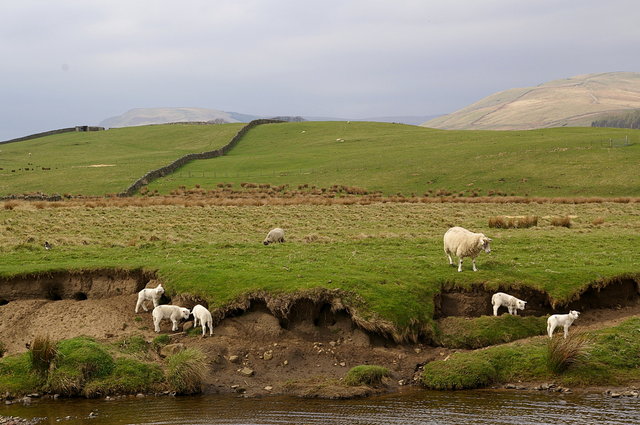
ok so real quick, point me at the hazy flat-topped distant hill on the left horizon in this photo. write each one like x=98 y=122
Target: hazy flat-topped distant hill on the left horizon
x=146 y=116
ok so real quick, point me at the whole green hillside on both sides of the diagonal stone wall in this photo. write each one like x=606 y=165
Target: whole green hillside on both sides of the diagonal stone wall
x=390 y=158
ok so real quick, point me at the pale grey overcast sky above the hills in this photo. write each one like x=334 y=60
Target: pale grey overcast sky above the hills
x=72 y=62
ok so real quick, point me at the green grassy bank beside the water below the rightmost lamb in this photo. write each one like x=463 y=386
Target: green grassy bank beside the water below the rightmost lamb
x=612 y=358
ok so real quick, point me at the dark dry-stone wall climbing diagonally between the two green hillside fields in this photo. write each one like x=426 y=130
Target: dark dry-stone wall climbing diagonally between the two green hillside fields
x=168 y=169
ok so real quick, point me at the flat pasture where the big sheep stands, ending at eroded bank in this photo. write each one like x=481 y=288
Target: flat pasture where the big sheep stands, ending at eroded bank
x=386 y=257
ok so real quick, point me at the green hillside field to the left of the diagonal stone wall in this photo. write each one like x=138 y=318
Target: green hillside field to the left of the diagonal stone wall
x=97 y=163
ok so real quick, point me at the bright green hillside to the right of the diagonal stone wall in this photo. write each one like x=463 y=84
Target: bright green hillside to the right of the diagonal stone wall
x=399 y=158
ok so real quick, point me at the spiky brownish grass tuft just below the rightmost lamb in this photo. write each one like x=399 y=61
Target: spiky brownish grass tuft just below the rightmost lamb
x=563 y=353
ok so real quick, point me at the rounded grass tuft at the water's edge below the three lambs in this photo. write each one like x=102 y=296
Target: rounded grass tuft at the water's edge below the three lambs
x=186 y=371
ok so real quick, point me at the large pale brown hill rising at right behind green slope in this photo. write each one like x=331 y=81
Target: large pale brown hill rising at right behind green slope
x=575 y=101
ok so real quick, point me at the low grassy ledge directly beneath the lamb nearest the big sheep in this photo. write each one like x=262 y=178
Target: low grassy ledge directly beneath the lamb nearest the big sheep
x=460 y=332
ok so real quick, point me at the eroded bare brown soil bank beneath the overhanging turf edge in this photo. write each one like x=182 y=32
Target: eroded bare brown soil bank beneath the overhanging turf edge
x=293 y=344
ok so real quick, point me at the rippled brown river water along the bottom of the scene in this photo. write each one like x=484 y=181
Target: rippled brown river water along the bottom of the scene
x=413 y=407
